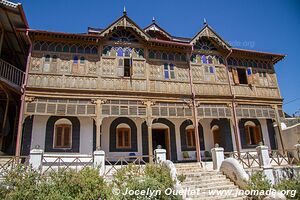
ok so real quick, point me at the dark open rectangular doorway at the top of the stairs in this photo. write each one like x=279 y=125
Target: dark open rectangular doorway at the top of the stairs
x=161 y=137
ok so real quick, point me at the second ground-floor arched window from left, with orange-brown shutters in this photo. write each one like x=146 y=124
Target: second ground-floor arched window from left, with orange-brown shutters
x=123 y=136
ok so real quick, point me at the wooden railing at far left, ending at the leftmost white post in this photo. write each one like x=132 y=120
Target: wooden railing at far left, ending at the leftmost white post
x=9 y=163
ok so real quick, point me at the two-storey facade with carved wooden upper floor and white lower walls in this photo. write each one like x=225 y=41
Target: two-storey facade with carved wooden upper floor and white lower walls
x=126 y=90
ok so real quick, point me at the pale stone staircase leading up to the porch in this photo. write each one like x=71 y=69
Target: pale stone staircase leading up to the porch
x=206 y=184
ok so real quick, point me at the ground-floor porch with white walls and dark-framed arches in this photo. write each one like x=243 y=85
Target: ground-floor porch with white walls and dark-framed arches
x=128 y=136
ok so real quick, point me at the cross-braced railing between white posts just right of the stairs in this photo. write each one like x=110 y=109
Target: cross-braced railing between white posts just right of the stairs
x=247 y=159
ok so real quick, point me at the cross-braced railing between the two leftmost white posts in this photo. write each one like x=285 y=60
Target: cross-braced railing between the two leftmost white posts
x=53 y=163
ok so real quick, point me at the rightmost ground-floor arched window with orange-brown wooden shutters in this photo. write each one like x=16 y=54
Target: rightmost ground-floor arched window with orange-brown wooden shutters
x=252 y=133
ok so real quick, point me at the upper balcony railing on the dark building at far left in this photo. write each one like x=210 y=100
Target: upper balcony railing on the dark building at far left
x=11 y=73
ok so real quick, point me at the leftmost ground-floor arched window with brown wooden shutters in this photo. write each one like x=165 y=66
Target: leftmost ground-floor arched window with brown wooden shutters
x=62 y=134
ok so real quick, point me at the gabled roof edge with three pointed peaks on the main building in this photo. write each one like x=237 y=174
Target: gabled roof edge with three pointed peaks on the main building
x=165 y=37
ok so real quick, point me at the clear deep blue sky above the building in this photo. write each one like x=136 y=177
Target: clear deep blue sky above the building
x=263 y=25
